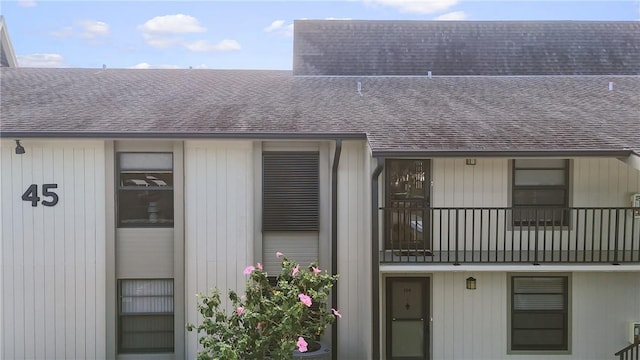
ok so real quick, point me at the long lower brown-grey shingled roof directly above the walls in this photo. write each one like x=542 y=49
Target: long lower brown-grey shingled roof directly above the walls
x=438 y=115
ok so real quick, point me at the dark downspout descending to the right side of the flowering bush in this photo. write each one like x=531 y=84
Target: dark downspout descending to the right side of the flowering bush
x=334 y=243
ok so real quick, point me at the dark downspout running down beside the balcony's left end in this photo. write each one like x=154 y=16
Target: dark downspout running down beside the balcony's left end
x=375 y=262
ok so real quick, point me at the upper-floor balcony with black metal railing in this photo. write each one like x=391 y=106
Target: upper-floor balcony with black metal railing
x=510 y=235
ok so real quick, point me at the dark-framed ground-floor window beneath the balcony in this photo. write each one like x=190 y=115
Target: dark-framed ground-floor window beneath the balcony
x=539 y=313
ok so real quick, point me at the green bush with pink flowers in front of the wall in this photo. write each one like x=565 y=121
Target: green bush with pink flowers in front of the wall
x=268 y=321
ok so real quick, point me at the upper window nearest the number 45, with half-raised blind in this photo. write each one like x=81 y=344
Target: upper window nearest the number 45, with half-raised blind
x=145 y=190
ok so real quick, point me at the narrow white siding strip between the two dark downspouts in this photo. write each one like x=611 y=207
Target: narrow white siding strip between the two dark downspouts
x=354 y=252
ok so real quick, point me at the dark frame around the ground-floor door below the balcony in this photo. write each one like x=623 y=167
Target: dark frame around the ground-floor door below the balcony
x=426 y=308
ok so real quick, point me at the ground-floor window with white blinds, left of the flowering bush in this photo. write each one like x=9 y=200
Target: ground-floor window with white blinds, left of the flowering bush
x=145 y=316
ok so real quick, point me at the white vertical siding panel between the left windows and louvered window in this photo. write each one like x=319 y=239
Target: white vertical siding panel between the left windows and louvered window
x=219 y=220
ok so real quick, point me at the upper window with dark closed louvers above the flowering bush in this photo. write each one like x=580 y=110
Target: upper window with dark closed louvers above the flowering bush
x=290 y=191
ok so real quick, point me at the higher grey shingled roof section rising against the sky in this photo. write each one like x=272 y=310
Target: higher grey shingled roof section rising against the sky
x=357 y=47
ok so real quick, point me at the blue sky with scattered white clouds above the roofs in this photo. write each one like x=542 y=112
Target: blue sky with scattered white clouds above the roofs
x=234 y=34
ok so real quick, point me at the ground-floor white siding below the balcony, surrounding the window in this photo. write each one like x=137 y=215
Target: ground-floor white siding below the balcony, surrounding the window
x=473 y=324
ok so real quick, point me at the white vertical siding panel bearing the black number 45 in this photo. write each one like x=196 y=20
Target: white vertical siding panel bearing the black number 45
x=53 y=265
